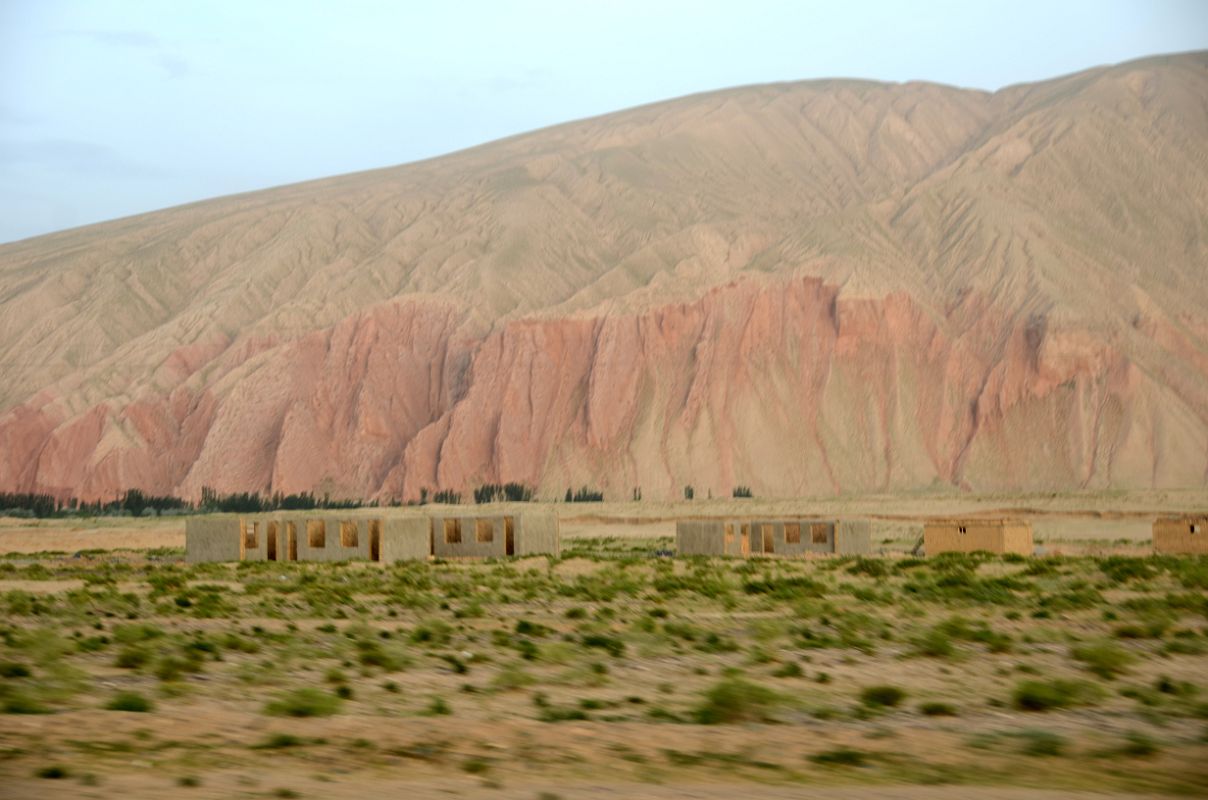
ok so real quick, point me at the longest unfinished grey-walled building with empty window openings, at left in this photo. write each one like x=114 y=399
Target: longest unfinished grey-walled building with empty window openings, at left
x=384 y=540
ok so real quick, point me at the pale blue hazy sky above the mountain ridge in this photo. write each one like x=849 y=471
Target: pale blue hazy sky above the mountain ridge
x=111 y=108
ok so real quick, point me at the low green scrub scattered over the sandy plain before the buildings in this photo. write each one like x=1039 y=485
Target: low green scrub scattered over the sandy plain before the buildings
x=607 y=634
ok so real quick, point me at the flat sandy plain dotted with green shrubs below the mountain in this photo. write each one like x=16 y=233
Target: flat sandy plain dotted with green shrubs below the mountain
x=615 y=670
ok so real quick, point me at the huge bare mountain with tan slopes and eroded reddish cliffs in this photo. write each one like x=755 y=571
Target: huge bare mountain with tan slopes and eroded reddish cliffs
x=805 y=288
